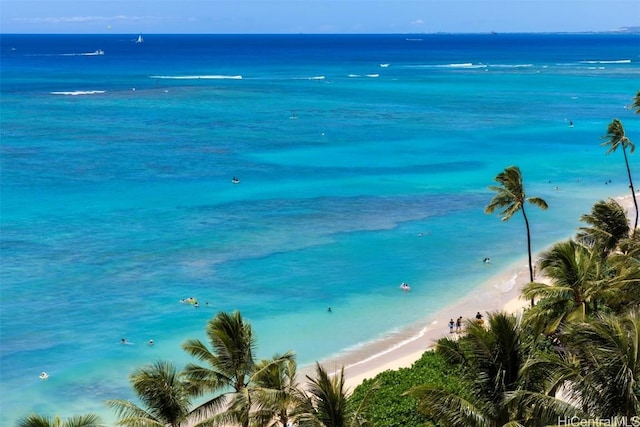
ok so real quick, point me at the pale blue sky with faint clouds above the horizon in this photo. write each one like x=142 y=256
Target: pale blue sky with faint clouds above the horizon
x=314 y=16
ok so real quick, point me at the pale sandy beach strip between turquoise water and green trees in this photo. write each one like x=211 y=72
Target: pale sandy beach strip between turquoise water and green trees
x=401 y=349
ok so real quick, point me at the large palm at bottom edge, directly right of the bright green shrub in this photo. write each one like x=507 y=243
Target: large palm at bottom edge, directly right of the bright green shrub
x=493 y=358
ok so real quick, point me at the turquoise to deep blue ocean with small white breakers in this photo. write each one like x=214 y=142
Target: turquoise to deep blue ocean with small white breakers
x=363 y=161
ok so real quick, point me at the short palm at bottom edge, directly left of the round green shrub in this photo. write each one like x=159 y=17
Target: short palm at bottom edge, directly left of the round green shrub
x=326 y=403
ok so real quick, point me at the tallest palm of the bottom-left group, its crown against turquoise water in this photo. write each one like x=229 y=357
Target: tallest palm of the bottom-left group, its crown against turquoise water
x=230 y=374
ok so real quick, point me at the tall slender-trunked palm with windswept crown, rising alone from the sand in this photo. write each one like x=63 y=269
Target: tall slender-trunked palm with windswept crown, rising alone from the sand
x=511 y=198
